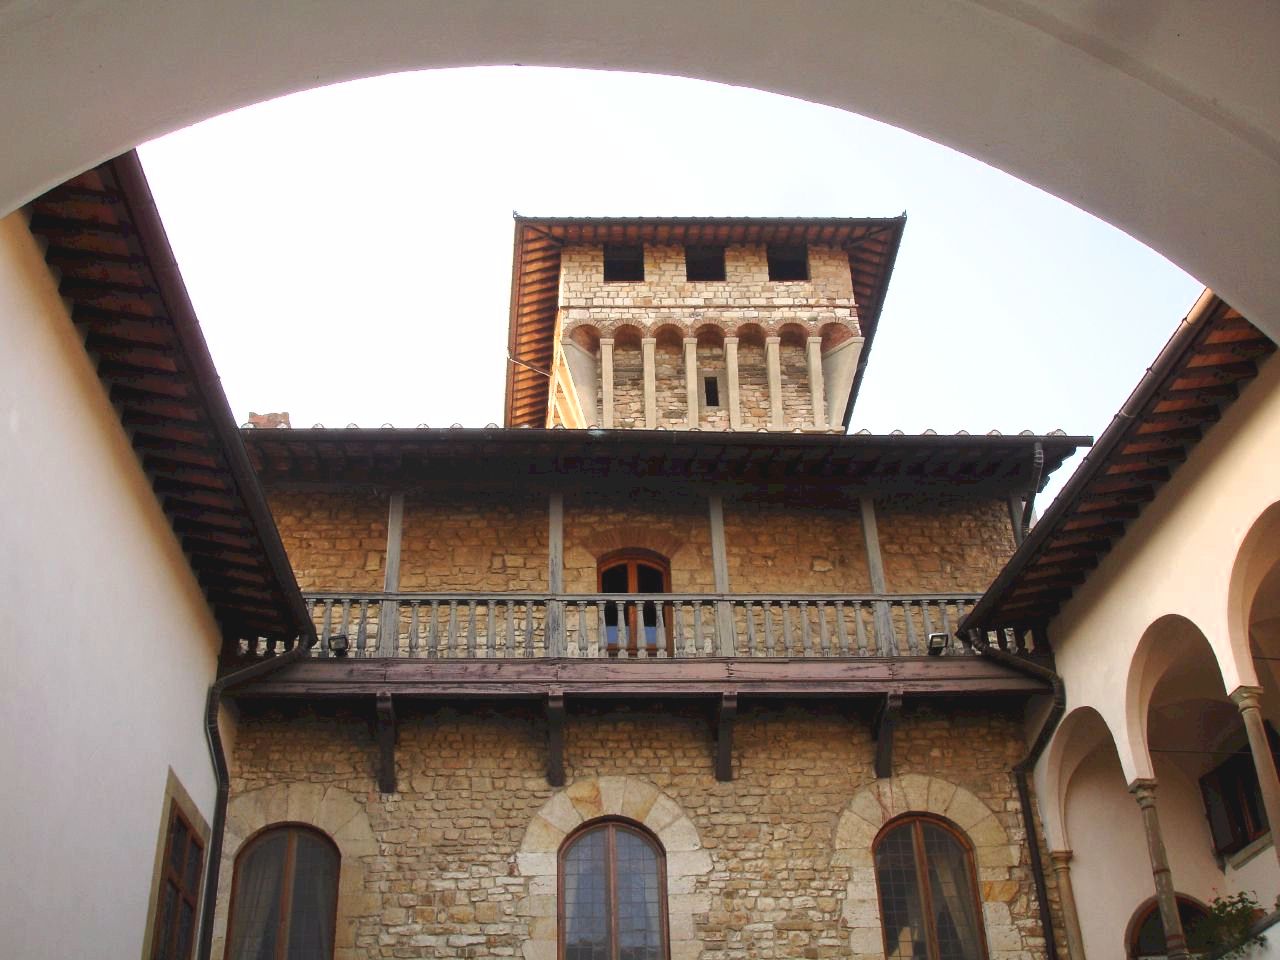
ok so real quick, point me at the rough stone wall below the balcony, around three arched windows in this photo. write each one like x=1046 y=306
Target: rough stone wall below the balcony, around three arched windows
x=460 y=863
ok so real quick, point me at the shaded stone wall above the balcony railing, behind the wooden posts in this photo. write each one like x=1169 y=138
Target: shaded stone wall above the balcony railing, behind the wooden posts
x=465 y=543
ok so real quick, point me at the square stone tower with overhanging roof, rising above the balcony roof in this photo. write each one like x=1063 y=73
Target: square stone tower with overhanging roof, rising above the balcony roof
x=738 y=324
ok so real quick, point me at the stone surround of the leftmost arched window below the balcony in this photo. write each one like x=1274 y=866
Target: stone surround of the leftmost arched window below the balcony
x=327 y=808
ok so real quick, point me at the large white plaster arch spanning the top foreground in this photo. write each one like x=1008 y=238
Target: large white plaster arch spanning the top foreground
x=1116 y=108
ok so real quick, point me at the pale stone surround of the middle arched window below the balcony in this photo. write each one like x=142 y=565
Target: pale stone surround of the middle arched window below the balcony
x=596 y=799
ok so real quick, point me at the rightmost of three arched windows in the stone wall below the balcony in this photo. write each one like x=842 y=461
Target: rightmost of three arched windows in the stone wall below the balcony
x=929 y=893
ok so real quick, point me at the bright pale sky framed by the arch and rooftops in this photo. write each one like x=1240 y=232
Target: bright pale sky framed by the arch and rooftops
x=349 y=249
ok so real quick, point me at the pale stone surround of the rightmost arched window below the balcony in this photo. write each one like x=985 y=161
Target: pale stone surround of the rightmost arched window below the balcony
x=995 y=857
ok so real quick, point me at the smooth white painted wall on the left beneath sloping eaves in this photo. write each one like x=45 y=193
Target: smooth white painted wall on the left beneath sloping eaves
x=107 y=646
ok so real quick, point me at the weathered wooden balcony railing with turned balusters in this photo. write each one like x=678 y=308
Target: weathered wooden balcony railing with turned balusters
x=636 y=627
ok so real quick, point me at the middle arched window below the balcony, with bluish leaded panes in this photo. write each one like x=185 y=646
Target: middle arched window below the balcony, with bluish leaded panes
x=612 y=895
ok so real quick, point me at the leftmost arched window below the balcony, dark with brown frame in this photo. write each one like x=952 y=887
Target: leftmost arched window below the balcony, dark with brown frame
x=285 y=897
